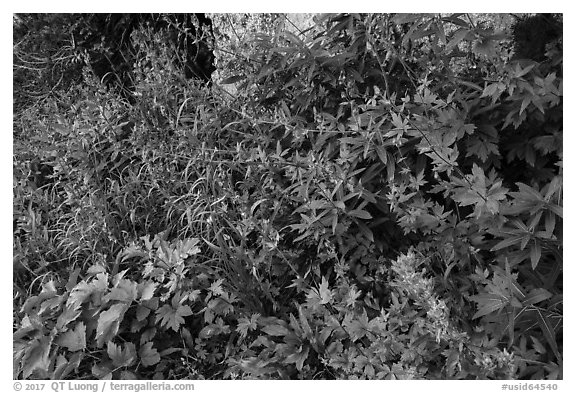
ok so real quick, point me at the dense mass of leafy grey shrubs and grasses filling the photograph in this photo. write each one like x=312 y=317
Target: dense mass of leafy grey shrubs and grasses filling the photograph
x=377 y=196
